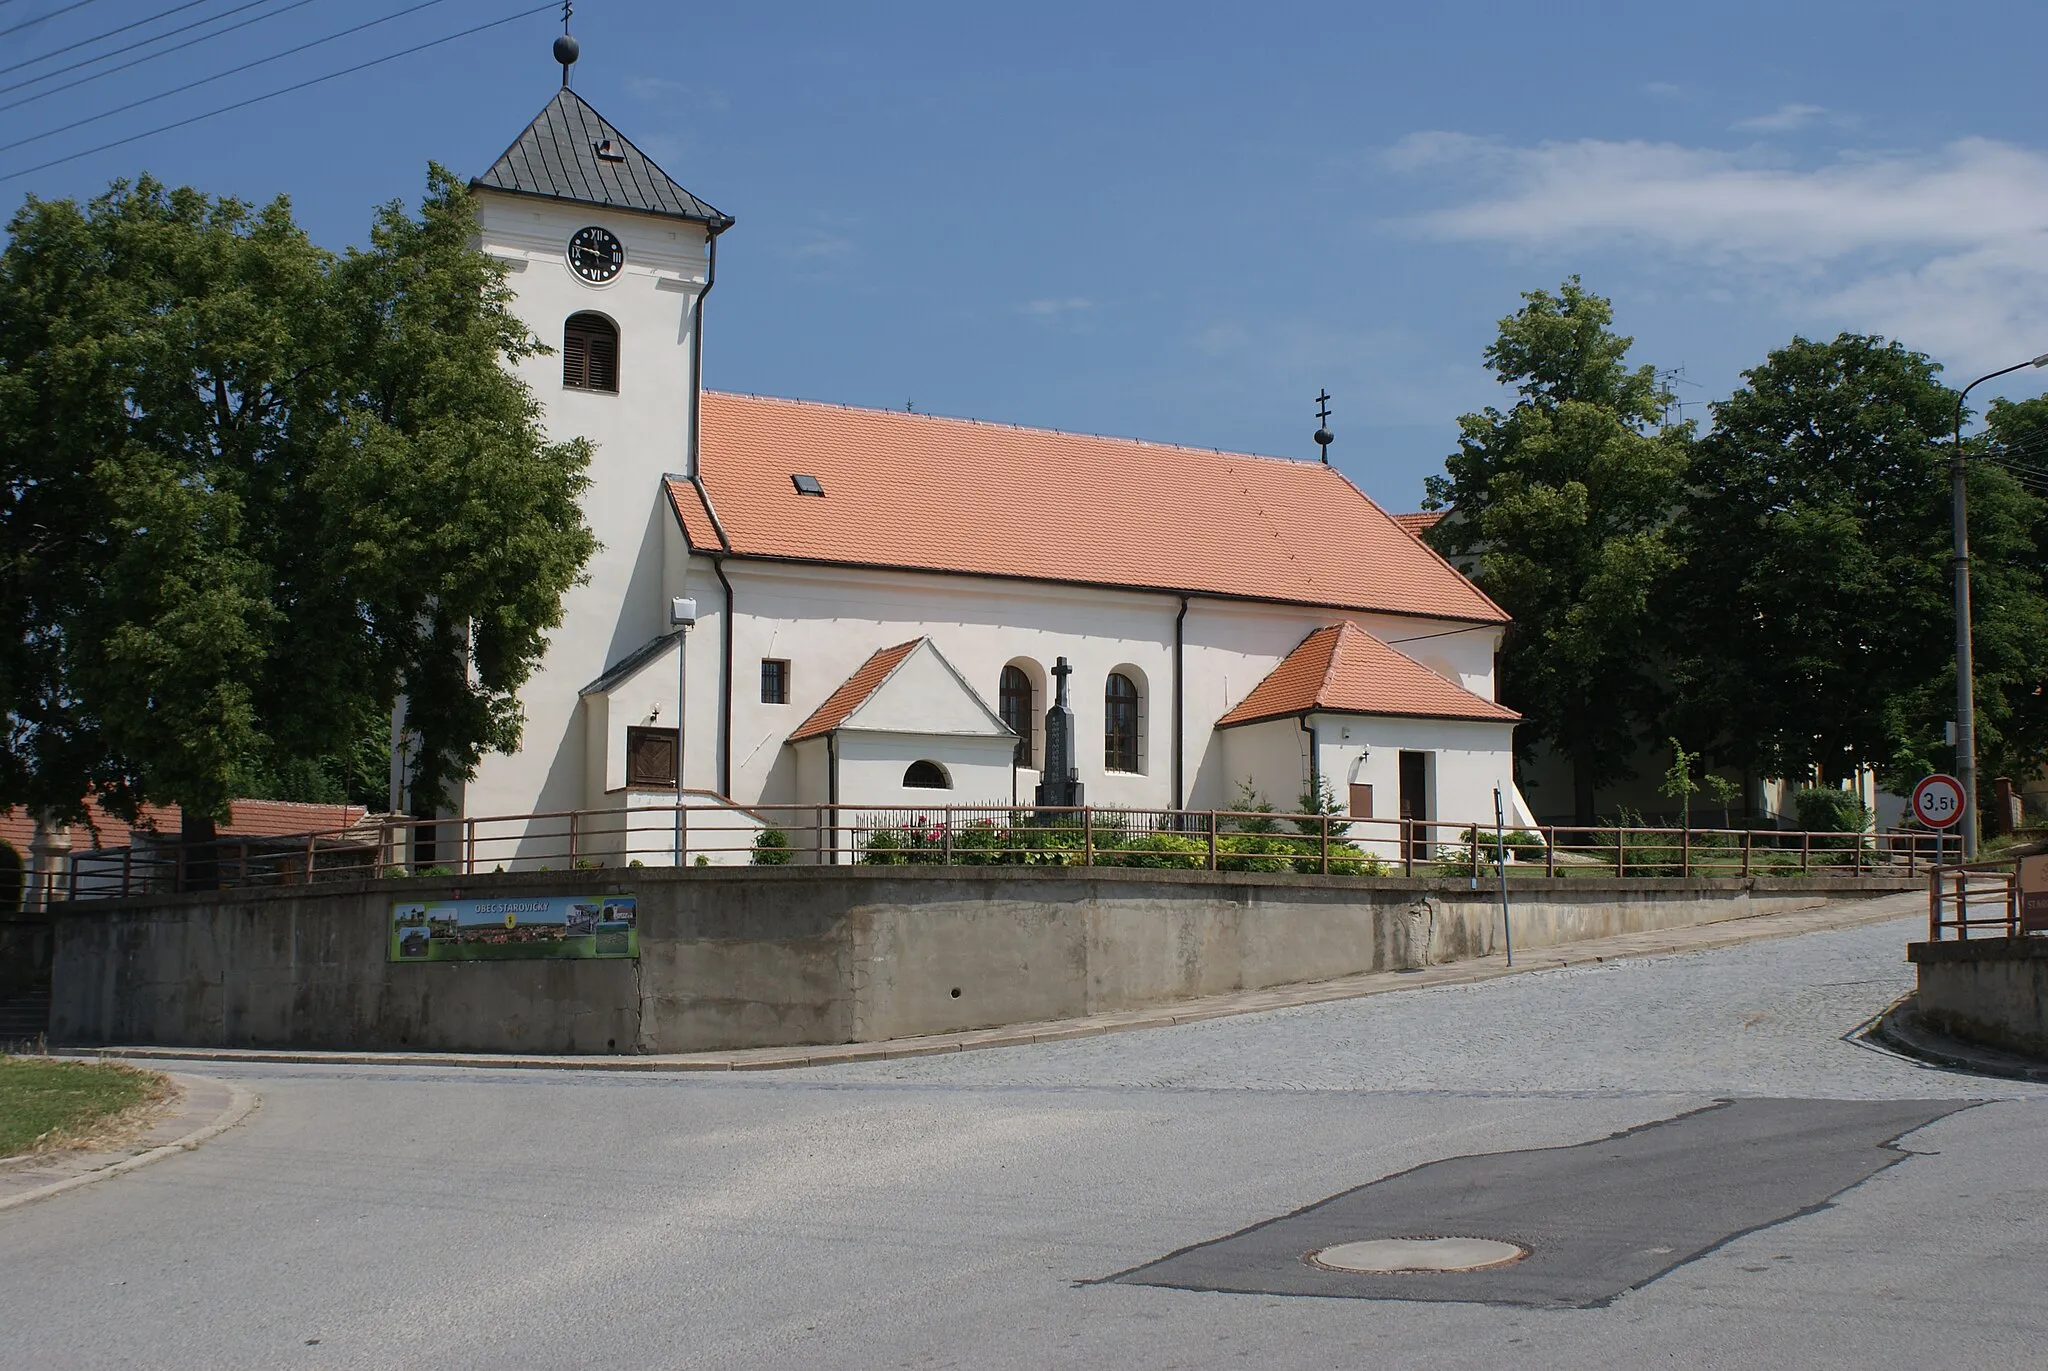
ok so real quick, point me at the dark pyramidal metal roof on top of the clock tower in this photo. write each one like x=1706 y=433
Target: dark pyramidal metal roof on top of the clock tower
x=558 y=159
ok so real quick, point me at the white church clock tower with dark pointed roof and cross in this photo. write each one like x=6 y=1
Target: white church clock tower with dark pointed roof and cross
x=609 y=263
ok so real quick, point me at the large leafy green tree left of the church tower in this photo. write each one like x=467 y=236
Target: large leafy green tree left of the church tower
x=251 y=493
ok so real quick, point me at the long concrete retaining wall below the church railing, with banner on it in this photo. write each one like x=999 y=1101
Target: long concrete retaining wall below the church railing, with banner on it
x=787 y=956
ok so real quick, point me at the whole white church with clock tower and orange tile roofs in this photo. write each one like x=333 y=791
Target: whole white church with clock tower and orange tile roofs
x=886 y=606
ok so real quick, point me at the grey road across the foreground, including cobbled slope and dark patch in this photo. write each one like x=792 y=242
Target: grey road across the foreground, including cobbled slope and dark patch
x=1000 y=1208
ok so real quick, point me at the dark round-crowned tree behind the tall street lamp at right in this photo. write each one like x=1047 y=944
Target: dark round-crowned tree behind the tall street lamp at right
x=1816 y=626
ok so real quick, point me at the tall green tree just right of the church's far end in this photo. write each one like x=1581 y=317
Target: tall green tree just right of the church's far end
x=1566 y=503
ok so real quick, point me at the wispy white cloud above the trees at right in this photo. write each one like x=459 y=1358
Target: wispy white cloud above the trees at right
x=1947 y=251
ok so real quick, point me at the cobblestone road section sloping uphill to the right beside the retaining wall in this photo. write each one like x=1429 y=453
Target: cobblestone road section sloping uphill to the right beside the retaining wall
x=1760 y=1020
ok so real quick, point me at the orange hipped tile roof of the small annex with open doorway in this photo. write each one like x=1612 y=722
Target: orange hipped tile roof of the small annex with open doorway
x=1342 y=669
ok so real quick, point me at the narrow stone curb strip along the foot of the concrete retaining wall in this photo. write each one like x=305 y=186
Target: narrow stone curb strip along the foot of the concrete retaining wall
x=1701 y=938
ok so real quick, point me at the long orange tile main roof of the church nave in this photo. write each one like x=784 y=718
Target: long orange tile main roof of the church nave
x=947 y=495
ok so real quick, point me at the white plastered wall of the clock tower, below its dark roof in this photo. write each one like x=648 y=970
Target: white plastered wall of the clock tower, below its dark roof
x=638 y=435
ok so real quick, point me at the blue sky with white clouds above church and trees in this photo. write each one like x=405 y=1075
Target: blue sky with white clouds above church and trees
x=1177 y=222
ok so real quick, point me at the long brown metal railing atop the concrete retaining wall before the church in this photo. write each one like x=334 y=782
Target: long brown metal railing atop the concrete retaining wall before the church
x=667 y=835
